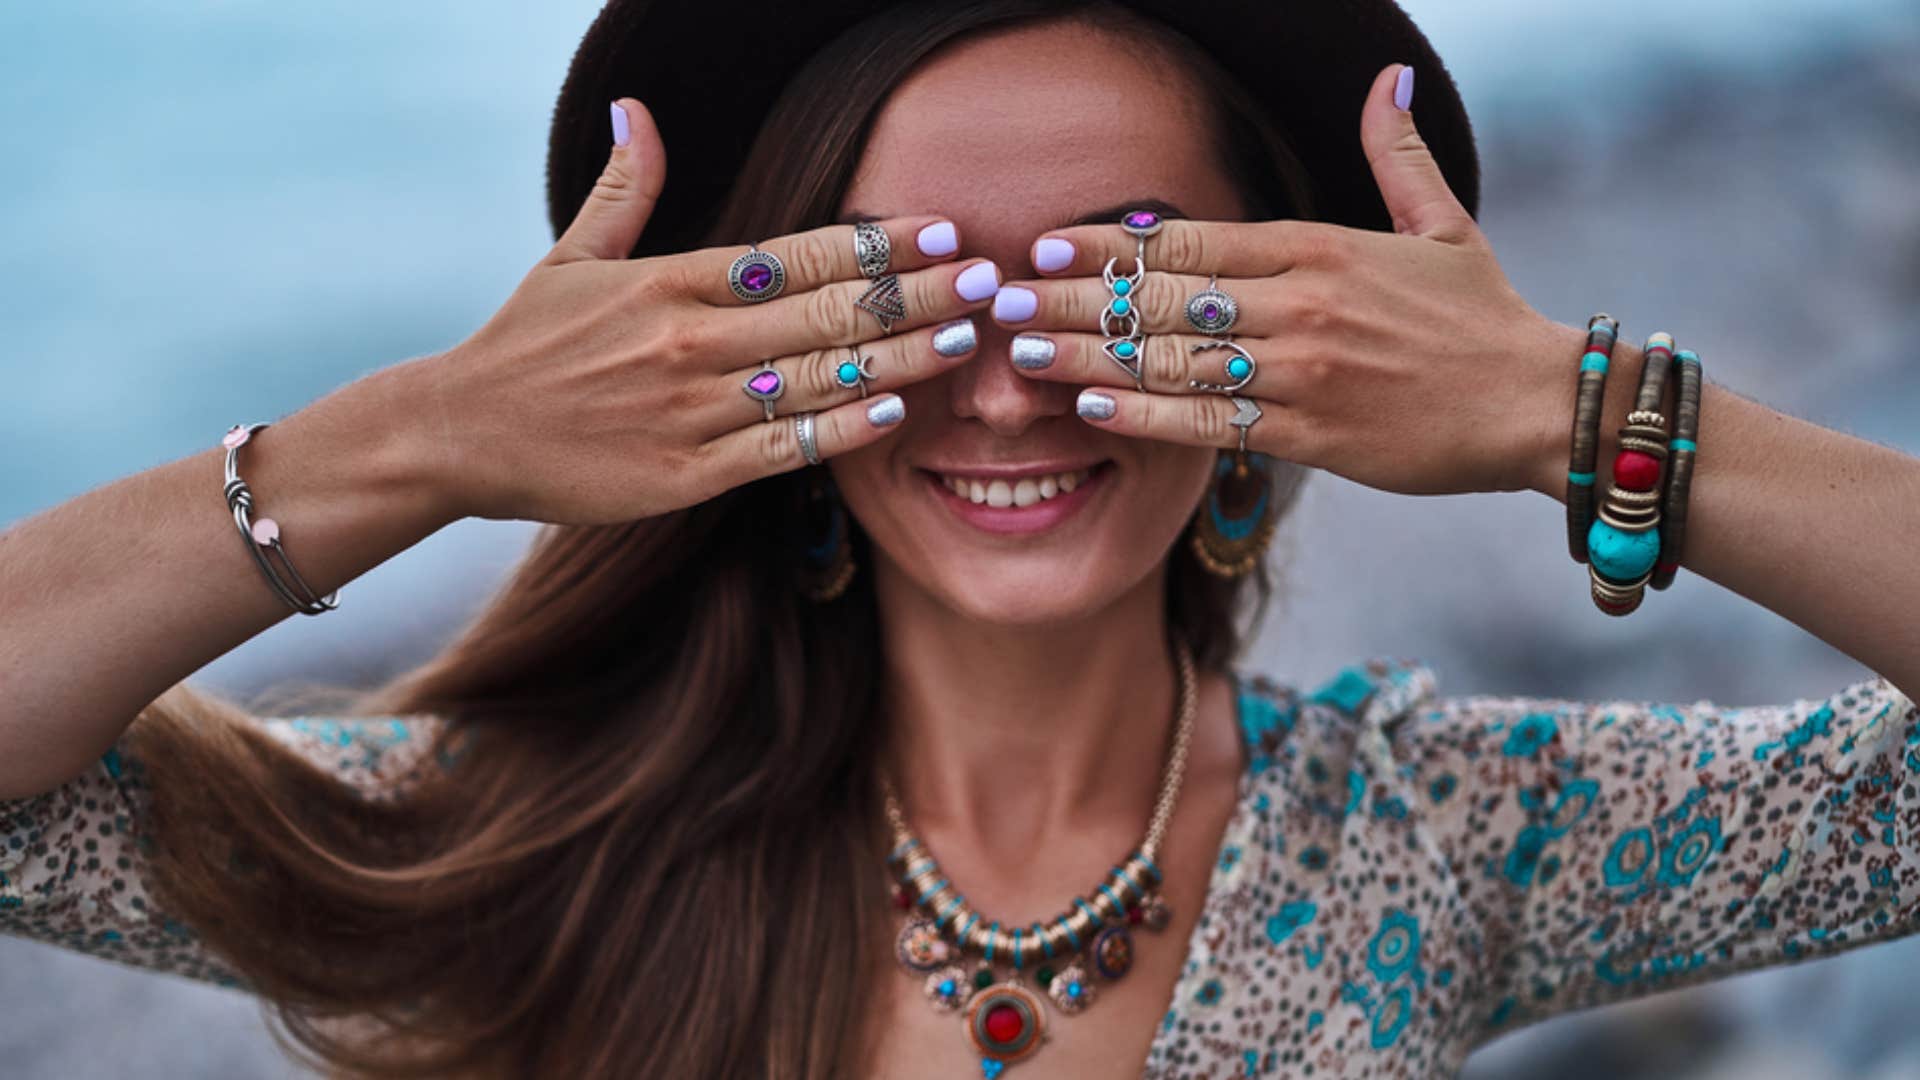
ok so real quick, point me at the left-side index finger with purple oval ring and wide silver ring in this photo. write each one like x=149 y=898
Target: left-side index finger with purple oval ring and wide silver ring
x=823 y=257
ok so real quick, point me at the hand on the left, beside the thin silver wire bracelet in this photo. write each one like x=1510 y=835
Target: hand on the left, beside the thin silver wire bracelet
x=612 y=389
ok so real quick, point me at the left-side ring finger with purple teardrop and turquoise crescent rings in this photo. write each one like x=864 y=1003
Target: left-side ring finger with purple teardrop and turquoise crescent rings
x=830 y=376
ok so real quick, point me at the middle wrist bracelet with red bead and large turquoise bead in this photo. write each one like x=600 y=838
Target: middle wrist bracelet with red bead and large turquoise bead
x=1627 y=539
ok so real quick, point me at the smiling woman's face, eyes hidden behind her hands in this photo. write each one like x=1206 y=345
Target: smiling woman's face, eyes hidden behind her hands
x=1011 y=135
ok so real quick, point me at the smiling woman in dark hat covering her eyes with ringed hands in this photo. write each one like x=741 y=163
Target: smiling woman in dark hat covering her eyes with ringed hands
x=652 y=814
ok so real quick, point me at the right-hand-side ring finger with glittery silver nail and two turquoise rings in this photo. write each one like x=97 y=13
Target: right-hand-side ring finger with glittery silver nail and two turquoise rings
x=1170 y=364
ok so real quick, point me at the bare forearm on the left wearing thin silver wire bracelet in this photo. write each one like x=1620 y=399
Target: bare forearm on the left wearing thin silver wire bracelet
x=116 y=595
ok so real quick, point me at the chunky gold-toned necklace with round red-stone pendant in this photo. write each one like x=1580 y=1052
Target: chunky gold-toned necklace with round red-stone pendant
x=974 y=968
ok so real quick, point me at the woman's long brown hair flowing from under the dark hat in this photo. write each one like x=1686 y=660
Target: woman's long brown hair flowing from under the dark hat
x=648 y=829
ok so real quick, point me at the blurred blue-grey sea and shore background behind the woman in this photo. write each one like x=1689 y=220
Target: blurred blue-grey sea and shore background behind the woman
x=222 y=210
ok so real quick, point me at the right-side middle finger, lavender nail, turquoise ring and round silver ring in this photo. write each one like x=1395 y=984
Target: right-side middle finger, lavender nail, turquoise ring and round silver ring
x=1161 y=303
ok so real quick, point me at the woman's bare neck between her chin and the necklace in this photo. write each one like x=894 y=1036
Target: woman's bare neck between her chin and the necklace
x=1011 y=741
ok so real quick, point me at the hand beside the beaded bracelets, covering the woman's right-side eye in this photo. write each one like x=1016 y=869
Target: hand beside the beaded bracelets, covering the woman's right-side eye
x=1404 y=362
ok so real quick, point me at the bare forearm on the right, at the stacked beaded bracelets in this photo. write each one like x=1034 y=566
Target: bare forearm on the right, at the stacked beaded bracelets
x=1808 y=522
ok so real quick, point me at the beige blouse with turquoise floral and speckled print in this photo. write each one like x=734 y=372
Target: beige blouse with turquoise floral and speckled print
x=1403 y=879
